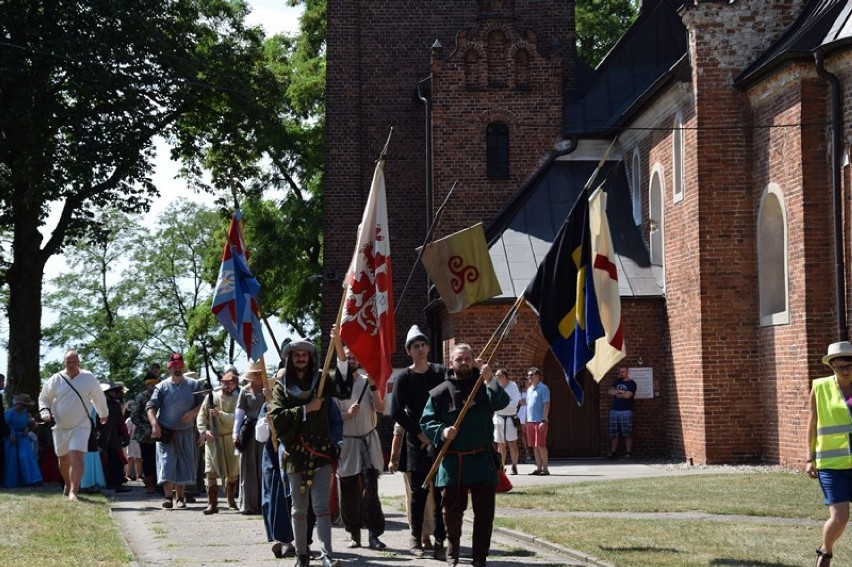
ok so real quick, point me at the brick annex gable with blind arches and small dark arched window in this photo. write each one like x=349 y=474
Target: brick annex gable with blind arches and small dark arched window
x=476 y=83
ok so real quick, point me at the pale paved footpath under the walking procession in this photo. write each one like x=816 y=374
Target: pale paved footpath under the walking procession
x=188 y=537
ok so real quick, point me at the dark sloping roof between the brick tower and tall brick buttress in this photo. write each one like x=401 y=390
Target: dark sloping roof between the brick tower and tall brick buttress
x=649 y=56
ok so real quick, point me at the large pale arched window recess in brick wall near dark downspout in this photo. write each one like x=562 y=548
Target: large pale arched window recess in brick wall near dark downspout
x=772 y=258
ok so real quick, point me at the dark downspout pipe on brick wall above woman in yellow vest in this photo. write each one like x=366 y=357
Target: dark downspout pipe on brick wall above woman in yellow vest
x=836 y=186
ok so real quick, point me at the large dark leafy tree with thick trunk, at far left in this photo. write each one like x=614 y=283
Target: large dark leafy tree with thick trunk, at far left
x=85 y=88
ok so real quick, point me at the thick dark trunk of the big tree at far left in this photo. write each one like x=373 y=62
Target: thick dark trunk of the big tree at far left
x=25 y=278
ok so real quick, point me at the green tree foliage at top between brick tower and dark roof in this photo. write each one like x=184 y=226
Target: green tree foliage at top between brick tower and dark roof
x=600 y=24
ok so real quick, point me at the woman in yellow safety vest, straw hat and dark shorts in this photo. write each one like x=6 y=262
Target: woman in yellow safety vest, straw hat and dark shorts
x=829 y=430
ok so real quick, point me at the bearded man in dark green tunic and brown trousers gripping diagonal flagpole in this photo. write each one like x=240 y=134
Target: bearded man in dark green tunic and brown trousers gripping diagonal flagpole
x=468 y=466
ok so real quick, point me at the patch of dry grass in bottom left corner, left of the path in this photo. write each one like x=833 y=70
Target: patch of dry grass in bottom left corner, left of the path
x=40 y=527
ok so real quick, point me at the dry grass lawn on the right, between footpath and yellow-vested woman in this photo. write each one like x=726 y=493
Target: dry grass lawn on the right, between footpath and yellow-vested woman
x=759 y=541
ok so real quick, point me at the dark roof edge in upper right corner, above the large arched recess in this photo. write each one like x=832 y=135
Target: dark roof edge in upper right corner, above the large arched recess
x=822 y=25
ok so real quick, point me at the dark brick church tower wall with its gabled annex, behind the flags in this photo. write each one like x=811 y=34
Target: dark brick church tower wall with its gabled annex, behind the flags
x=378 y=52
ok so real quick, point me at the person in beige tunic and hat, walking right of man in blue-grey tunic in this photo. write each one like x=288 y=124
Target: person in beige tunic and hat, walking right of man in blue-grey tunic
x=215 y=422
